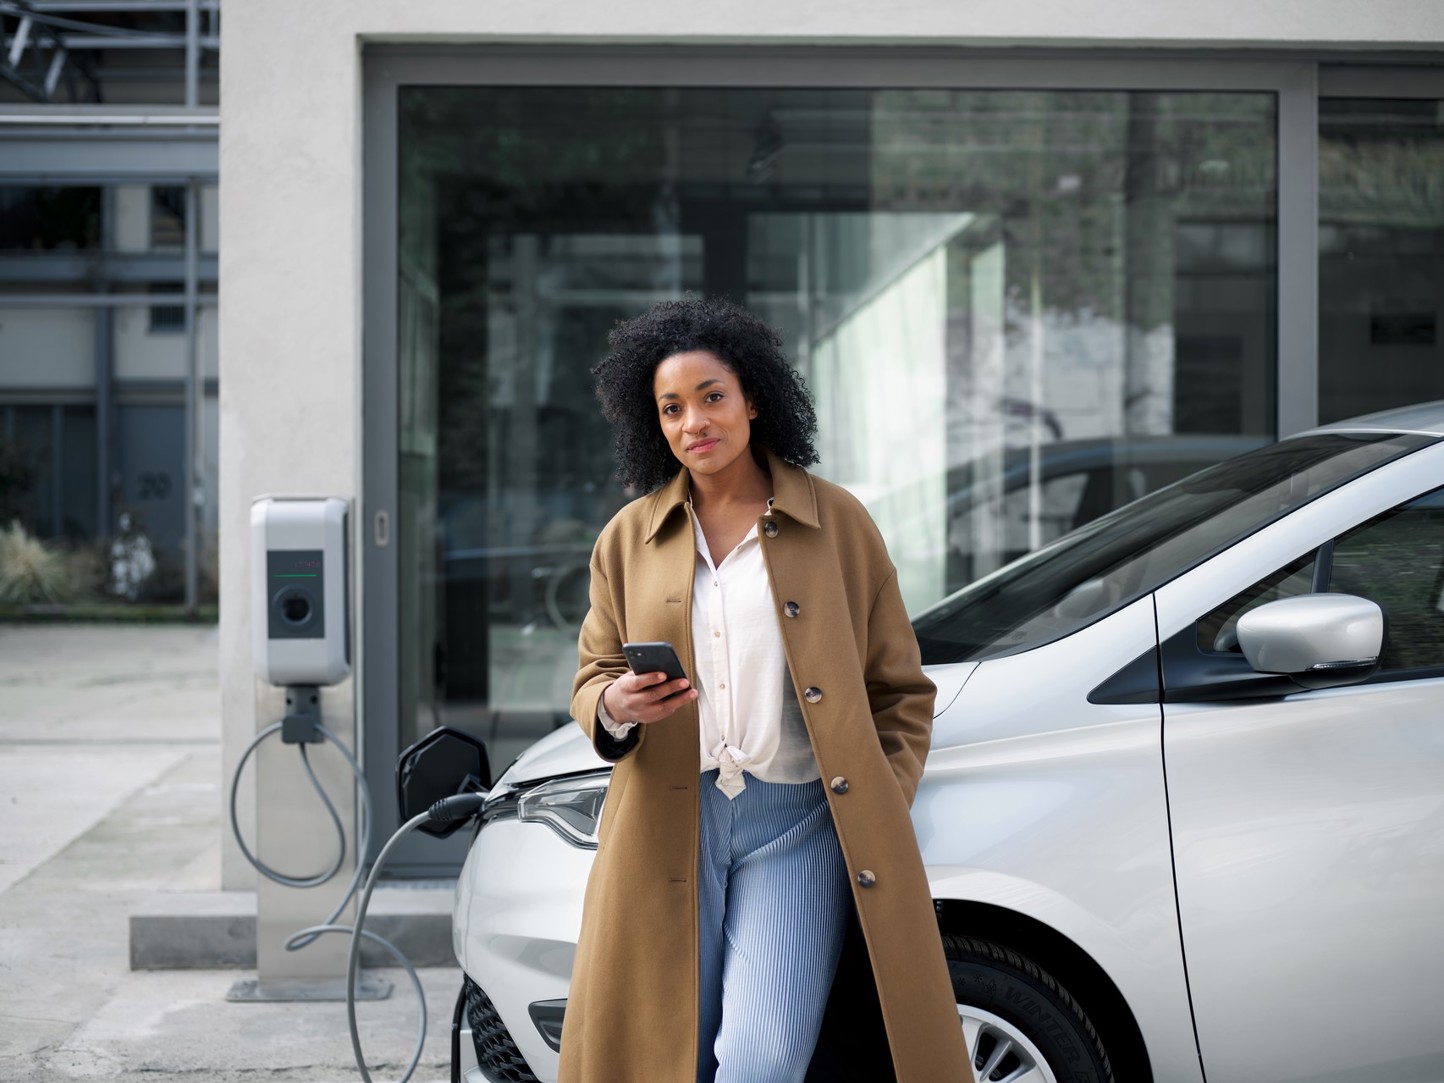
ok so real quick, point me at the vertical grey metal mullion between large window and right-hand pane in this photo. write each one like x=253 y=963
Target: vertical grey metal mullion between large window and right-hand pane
x=1297 y=408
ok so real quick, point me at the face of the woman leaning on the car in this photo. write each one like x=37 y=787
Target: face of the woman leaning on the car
x=704 y=415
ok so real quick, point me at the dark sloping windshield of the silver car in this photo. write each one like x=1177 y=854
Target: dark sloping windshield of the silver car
x=1134 y=551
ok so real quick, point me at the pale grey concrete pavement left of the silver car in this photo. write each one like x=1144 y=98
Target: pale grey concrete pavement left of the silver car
x=112 y=795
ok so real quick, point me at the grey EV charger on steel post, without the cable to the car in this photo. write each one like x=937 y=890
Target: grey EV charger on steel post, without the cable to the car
x=308 y=819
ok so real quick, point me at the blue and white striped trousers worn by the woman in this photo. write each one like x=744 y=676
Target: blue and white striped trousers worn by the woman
x=773 y=905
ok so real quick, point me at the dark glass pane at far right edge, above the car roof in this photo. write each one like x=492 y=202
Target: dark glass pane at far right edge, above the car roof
x=1381 y=255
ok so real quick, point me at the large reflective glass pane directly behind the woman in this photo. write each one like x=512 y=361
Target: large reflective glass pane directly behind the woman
x=1016 y=310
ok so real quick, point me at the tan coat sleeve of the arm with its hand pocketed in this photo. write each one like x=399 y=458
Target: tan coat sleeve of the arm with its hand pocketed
x=900 y=695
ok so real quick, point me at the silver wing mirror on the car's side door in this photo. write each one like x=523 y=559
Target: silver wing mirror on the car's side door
x=1318 y=640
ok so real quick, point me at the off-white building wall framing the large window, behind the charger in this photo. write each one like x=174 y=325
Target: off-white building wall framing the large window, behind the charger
x=291 y=158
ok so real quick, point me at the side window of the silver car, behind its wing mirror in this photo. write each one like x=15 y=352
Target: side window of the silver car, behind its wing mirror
x=1396 y=560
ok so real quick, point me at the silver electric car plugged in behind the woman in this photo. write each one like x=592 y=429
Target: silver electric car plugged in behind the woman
x=1185 y=809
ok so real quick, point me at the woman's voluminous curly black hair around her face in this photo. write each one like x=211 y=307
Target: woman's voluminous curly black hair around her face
x=786 y=422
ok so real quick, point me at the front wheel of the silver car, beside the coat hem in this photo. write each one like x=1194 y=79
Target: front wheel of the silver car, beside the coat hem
x=1019 y=1023
